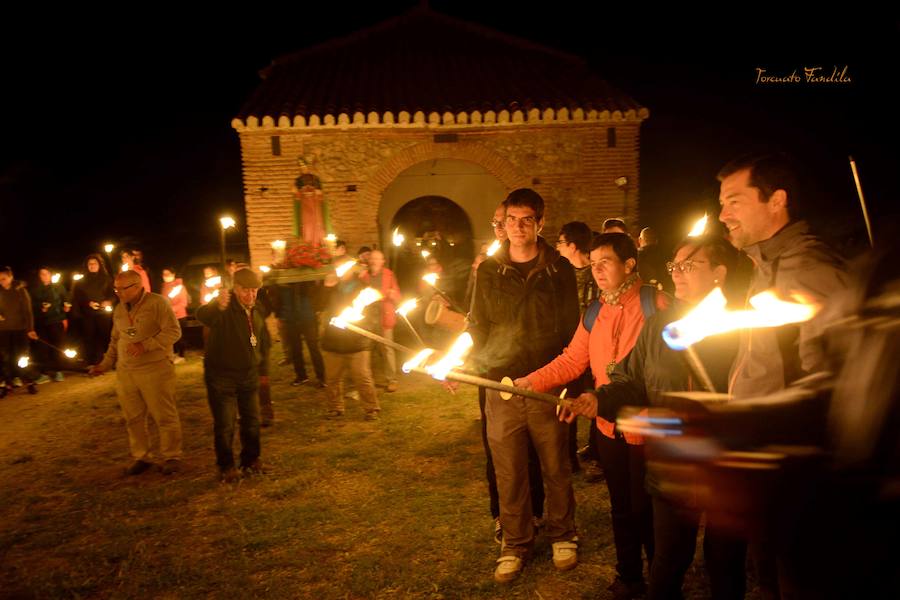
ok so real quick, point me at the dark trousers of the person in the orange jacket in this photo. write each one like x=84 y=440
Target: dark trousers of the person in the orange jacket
x=632 y=512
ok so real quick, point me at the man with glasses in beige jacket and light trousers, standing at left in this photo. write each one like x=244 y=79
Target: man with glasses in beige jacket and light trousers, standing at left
x=140 y=348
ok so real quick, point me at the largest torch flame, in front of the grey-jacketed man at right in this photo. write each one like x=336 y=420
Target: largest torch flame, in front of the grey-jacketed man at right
x=710 y=317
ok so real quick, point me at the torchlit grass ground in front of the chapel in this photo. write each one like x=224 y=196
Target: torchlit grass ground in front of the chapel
x=396 y=508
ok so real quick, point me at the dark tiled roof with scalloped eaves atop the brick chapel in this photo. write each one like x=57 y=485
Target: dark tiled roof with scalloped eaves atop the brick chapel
x=434 y=64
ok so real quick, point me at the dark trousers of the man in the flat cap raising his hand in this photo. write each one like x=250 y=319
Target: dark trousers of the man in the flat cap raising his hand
x=230 y=396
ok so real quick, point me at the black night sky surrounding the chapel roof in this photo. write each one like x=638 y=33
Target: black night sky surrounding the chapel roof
x=122 y=131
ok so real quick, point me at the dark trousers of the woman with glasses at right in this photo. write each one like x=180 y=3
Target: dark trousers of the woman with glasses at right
x=675 y=534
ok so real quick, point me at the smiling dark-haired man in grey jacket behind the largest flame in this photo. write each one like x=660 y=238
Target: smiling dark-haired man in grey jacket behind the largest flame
x=760 y=207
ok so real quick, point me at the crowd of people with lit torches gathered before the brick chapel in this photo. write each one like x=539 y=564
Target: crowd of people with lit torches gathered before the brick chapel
x=584 y=312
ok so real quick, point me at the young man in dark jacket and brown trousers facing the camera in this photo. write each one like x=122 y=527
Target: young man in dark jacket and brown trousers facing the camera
x=524 y=311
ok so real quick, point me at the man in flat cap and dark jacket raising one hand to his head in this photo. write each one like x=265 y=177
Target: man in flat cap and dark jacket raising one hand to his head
x=238 y=341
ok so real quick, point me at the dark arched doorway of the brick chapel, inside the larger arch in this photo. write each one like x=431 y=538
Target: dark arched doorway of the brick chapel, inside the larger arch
x=436 y=230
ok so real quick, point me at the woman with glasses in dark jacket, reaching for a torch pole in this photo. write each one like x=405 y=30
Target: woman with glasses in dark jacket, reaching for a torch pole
x=651 y=369
